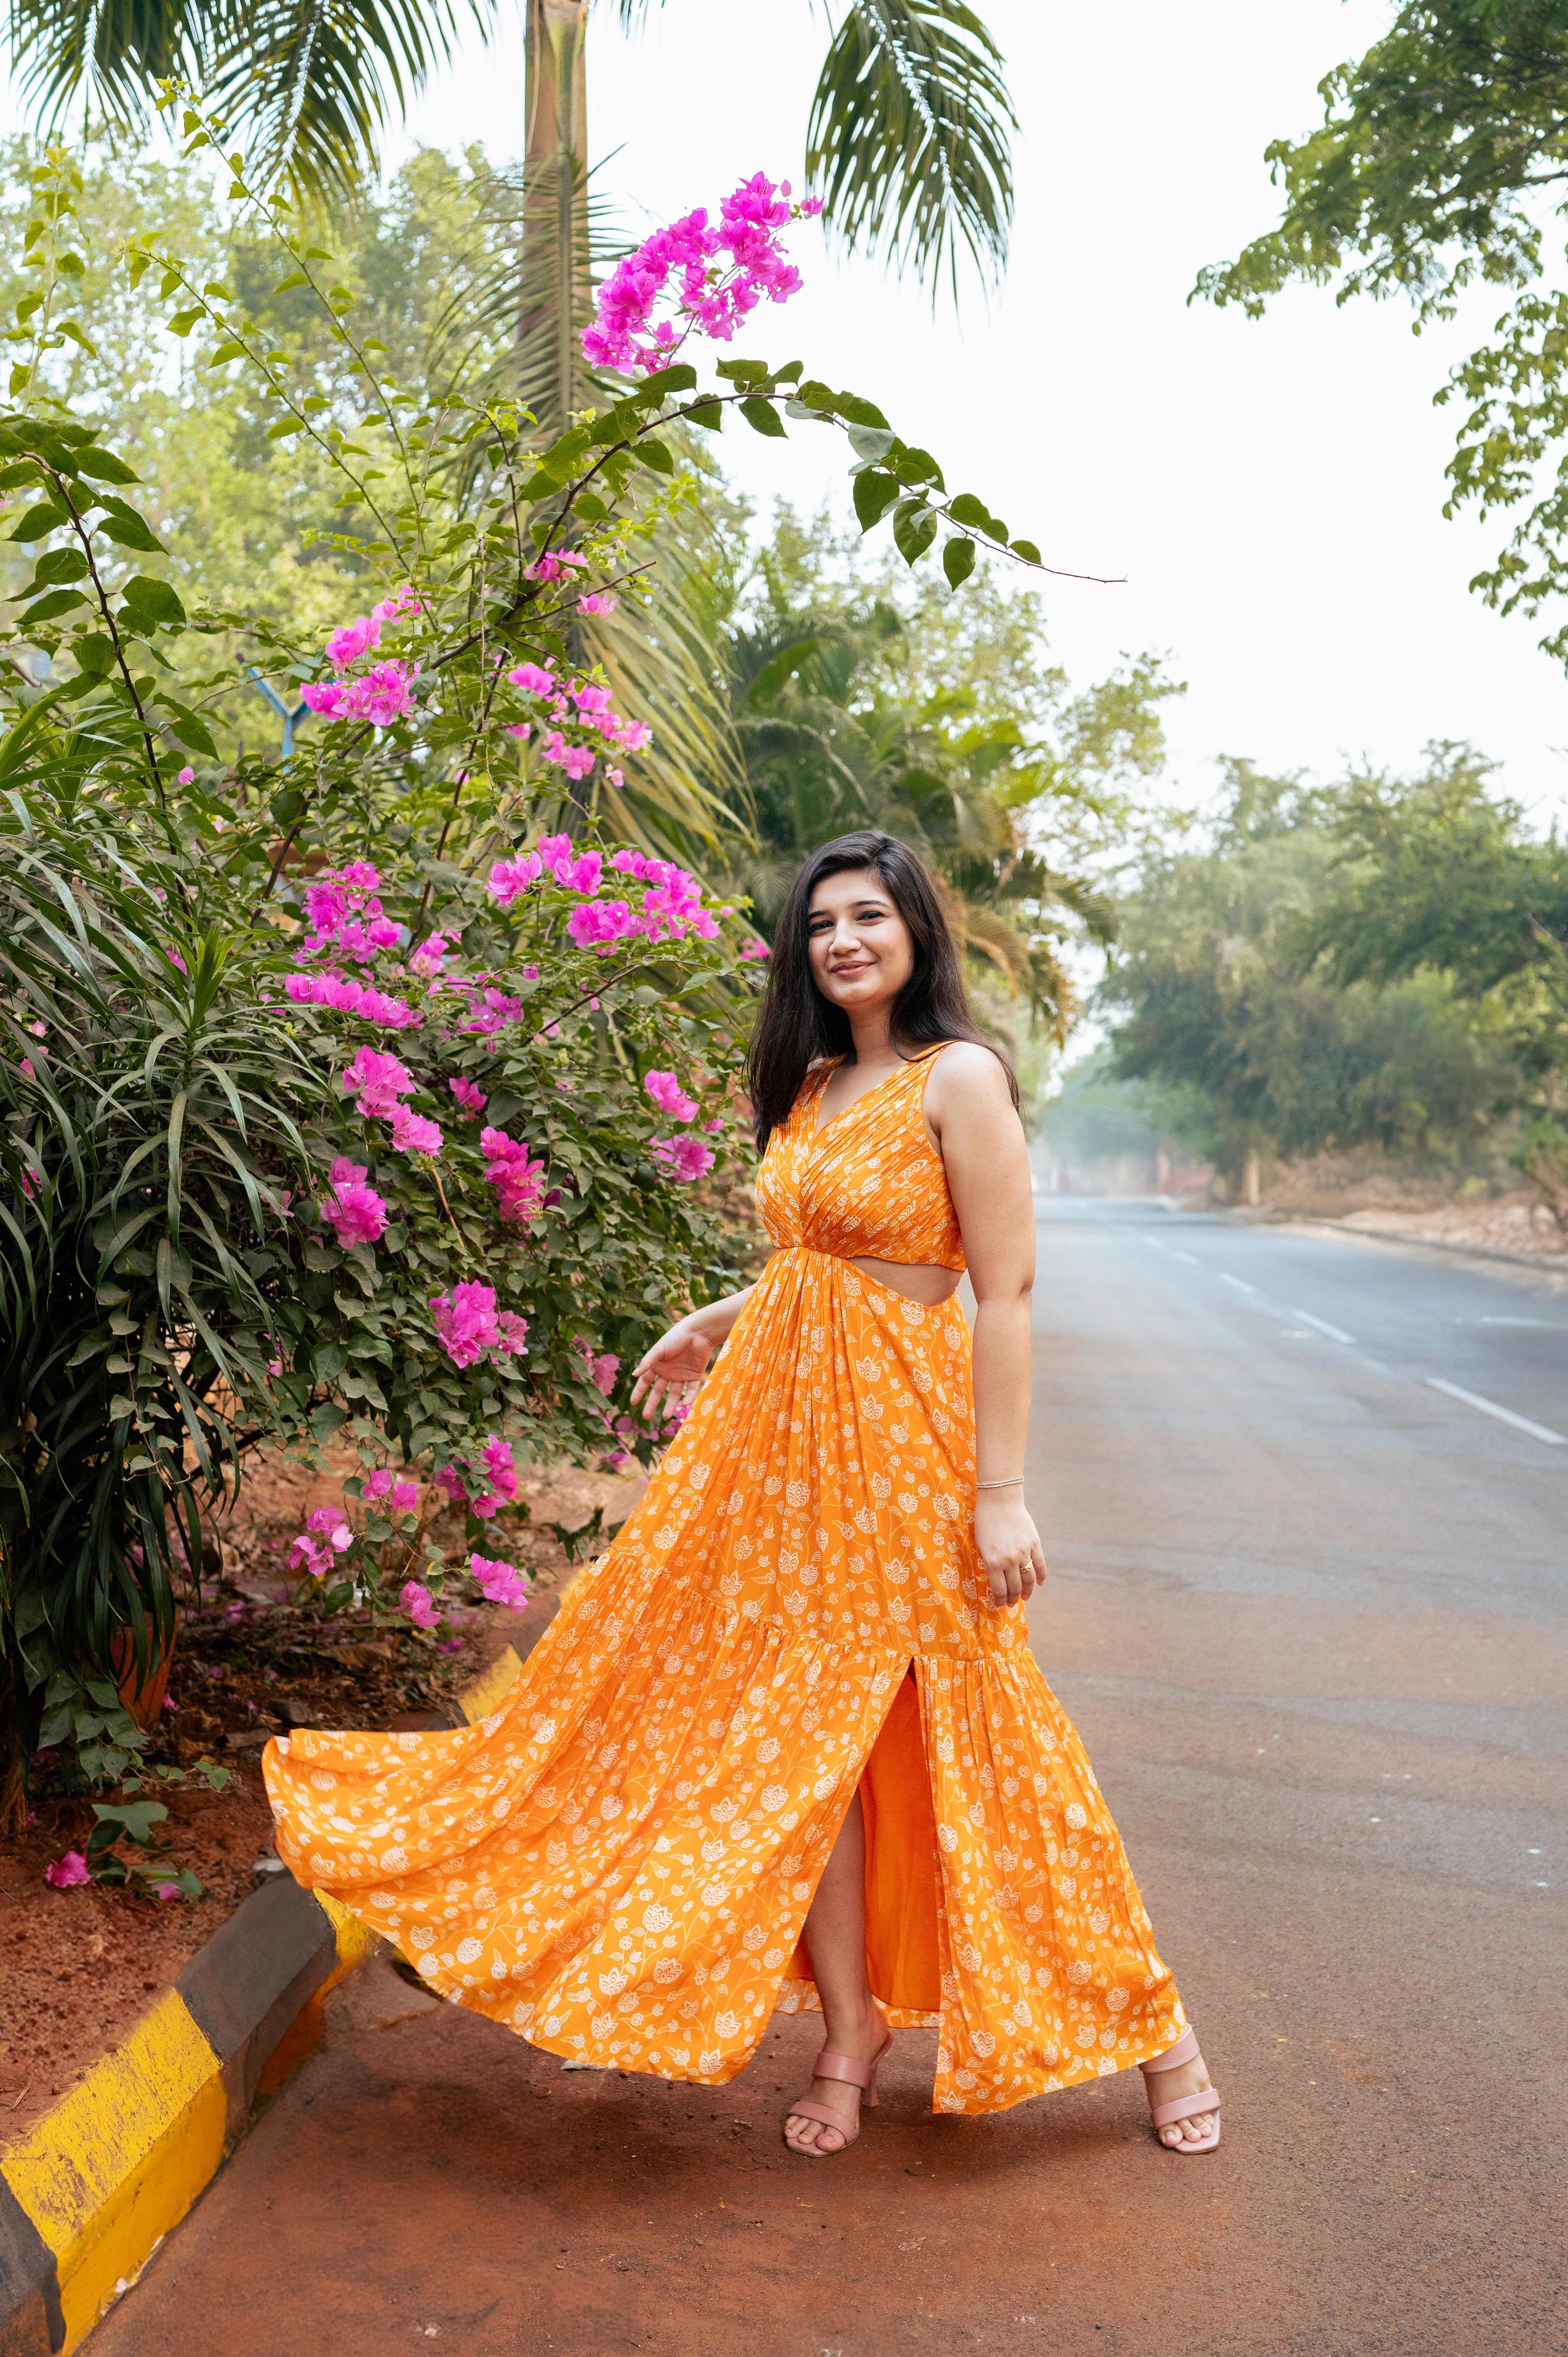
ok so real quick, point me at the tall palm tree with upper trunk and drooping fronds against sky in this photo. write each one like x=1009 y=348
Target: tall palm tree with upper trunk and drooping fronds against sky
x=909 y=133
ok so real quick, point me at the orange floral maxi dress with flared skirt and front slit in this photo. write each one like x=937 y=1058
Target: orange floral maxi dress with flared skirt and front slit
x=619 y=1861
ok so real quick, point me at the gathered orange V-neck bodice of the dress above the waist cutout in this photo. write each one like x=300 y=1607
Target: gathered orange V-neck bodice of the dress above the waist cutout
x=869 y=1184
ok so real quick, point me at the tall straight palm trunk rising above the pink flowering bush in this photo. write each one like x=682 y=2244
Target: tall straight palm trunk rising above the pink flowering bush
x=555 y=279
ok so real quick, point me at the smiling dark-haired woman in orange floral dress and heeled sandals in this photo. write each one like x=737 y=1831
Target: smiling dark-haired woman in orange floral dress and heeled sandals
x=786 y=1743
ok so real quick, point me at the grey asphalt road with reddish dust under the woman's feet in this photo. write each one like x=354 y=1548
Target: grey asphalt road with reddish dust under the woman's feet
x=1307 y=1611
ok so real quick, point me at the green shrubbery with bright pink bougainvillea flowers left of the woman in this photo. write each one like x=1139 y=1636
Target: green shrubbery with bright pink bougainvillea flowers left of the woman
x=369 y=1097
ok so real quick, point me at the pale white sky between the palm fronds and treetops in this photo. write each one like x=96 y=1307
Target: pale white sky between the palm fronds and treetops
x=1272 y=491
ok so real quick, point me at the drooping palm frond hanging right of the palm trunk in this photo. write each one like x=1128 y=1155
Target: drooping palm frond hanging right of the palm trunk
x=909 y=138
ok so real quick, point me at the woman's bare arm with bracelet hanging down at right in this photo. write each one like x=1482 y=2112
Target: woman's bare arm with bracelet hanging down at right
x=982 y=1144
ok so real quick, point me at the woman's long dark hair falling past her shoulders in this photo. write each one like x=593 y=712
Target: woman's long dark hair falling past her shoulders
x=798 y=1024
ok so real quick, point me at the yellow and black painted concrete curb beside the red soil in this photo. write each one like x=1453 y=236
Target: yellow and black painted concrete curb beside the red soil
x=91 y=2193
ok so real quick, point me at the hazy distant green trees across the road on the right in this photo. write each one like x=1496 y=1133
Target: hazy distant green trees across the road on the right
x=1378 y=965
